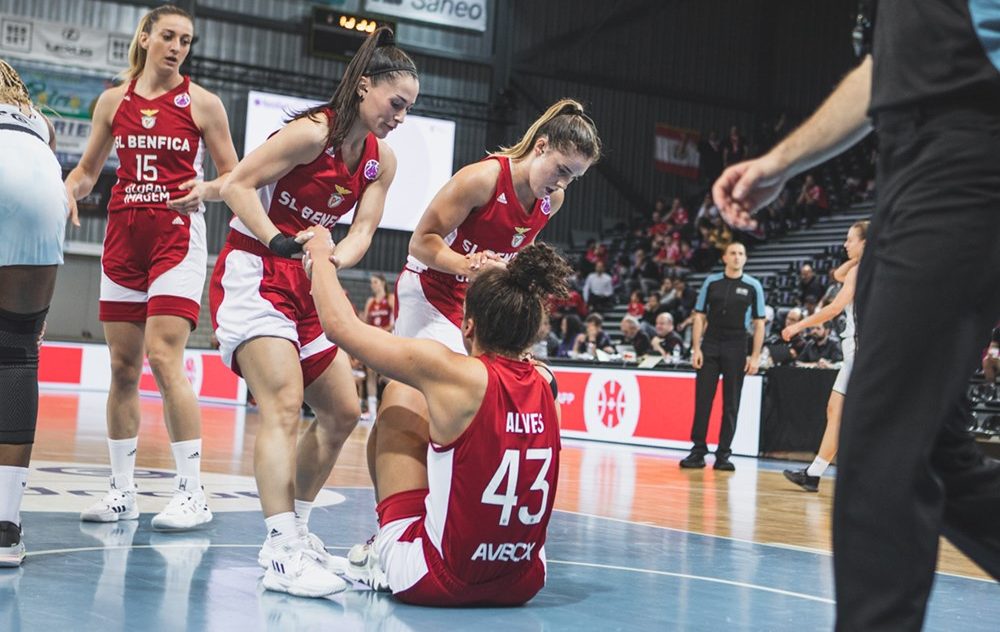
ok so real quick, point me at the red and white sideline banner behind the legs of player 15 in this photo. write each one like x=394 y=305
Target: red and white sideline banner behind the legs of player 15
x=87 y=367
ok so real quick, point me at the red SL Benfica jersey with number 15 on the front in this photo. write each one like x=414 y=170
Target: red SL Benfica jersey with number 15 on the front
x=159 y=148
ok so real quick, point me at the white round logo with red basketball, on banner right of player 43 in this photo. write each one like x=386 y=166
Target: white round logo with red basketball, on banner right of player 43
x=611 y=405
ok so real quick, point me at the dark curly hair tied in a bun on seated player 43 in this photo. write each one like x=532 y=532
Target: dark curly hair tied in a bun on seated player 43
x=507 y=305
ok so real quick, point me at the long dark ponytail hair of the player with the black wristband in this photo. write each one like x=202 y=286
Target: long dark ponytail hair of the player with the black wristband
x=380 y=60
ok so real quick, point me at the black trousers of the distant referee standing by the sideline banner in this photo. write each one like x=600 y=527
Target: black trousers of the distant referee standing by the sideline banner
x=727 y=358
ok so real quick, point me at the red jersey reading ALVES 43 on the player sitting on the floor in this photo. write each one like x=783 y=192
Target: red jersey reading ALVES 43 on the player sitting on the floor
x=492 y=489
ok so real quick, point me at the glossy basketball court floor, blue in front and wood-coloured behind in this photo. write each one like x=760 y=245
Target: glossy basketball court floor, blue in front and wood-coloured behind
x=608 y=569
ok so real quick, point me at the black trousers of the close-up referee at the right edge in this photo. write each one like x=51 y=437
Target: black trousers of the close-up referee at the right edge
x=928 y=294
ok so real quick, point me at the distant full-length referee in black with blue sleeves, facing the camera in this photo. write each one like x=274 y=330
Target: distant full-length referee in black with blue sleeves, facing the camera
x=728 y=301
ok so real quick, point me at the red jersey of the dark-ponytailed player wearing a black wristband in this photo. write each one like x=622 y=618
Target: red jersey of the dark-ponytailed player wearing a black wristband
x=319 y=192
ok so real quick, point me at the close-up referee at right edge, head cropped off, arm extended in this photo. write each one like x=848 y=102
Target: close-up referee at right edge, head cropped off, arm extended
x=907 y=469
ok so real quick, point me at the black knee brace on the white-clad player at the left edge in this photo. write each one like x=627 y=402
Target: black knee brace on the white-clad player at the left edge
x=19 y=375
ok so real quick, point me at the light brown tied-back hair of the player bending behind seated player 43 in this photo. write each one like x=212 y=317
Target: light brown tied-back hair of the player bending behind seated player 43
x=566 y=126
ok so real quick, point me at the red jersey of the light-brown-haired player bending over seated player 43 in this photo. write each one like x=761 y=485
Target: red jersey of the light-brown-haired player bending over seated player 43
x=502 y=225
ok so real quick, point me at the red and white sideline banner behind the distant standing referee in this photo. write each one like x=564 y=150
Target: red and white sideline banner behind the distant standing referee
x=652 y=408
